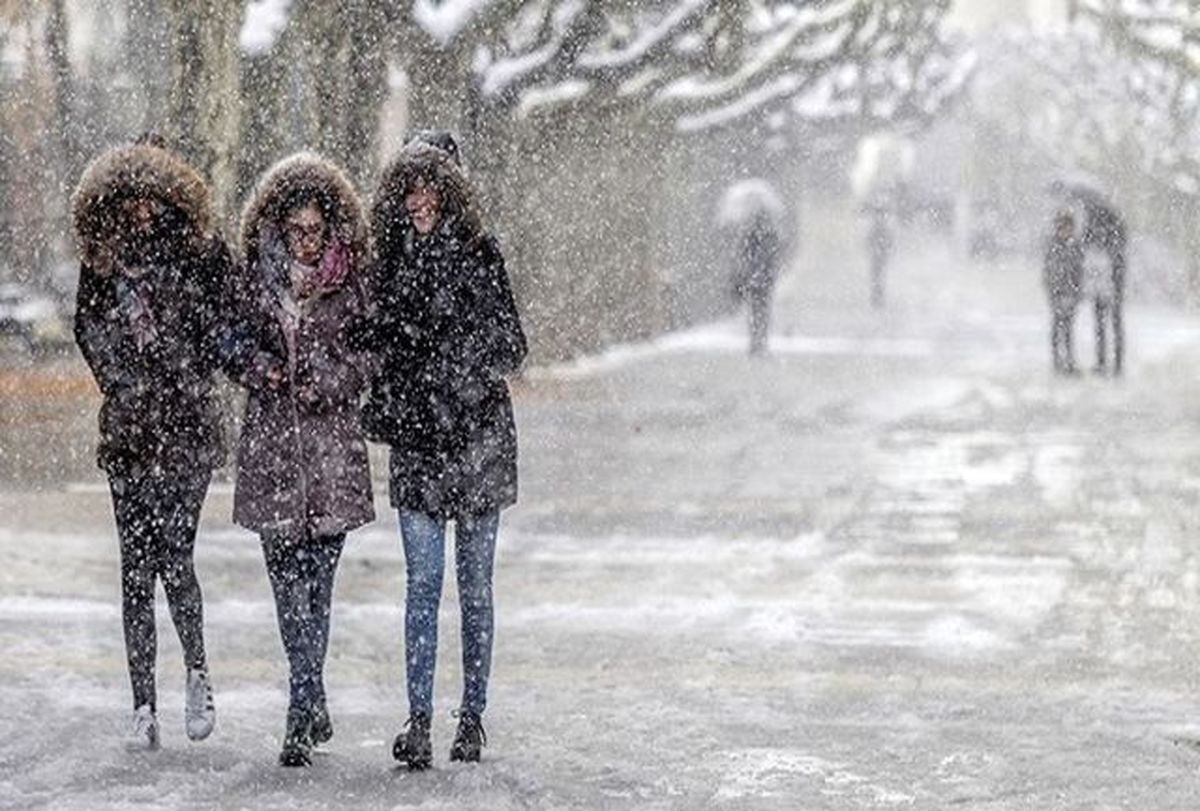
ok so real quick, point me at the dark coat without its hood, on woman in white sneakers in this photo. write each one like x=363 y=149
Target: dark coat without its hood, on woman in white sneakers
x=160 y=408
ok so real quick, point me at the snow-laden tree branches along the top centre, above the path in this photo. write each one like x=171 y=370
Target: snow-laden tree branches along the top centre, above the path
x=701 y=64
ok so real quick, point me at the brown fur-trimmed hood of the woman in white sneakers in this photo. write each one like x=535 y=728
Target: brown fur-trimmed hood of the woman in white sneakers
x=139 y=171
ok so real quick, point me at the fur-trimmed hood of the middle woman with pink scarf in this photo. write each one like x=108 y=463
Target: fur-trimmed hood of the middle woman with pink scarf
x=297 y=175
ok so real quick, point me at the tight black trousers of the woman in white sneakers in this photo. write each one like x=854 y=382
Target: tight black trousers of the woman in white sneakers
x=157 y=519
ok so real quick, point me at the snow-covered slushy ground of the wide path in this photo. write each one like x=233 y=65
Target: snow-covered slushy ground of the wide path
x=895 y=564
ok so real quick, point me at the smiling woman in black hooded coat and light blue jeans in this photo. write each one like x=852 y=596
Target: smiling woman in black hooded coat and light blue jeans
x=447 y=332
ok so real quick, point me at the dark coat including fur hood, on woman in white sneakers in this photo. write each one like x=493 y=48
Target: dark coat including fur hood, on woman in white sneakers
x=149 y=309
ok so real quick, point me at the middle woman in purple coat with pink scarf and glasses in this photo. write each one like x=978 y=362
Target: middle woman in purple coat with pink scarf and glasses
x=303 y=474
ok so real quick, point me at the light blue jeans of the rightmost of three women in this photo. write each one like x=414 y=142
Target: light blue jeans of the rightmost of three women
x=424 y=539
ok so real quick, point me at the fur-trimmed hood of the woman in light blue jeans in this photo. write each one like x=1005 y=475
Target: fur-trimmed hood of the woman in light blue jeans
x=391 y=225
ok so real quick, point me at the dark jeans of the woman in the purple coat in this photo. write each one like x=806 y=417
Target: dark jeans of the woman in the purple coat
x=302 y=567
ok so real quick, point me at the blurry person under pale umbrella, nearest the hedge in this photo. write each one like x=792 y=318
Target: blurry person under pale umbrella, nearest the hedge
x=753 y=214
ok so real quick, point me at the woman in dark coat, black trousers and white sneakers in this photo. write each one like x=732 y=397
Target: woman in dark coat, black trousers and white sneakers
x=148 y=321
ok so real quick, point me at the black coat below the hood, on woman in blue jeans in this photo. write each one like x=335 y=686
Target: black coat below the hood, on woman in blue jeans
x=446 y=331
